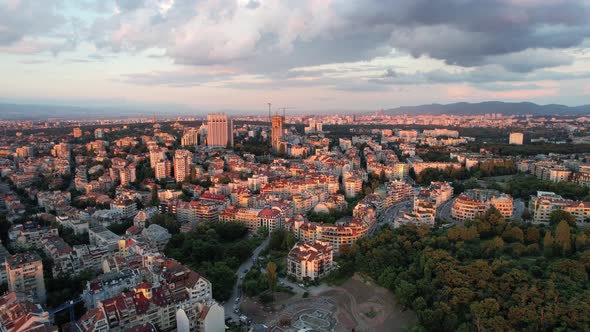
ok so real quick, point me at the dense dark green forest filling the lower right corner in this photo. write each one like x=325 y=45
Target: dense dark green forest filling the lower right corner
x=488 y=275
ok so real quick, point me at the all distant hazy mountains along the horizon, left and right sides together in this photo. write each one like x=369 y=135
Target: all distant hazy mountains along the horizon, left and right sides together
x=13 y=111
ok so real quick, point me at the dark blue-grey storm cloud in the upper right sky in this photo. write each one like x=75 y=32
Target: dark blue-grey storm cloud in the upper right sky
x=468 y=33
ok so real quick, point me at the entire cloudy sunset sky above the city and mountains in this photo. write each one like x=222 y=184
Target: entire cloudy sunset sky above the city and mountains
x=310 y=55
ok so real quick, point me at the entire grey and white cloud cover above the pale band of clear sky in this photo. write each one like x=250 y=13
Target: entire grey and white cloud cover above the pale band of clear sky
x=286 y=43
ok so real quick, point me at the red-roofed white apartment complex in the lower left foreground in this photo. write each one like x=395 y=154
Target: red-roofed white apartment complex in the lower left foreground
x=181 y=300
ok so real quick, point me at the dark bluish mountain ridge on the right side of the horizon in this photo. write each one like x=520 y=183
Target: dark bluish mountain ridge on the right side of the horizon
x=491 y=107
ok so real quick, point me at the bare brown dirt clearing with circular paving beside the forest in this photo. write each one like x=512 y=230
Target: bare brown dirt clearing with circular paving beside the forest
x=358 y=304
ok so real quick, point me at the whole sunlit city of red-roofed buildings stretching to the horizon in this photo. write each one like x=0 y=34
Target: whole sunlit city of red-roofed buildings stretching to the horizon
x=181 y=224
